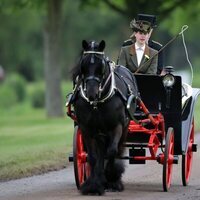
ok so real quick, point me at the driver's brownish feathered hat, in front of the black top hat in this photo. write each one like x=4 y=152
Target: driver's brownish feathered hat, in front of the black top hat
x=142 y=26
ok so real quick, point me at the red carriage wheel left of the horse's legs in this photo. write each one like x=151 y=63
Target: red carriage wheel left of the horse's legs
x=81 y=166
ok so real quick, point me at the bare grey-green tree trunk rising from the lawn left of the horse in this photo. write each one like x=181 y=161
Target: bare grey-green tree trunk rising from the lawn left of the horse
x=52 y=36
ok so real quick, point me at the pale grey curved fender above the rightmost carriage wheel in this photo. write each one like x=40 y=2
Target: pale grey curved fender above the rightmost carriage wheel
x=187 y=117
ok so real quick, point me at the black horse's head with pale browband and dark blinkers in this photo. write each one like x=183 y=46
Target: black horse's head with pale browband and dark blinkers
x=93 y=68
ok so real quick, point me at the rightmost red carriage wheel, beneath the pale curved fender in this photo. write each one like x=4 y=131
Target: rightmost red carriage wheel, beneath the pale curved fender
x=187 y=158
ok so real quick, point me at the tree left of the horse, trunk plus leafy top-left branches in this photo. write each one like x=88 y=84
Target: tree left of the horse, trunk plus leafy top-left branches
x=52 y=27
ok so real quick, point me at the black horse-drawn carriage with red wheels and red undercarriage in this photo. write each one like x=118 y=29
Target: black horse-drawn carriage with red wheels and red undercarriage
x=162 y=113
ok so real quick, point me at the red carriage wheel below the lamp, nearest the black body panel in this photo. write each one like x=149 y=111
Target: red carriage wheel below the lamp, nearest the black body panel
x=168 y=159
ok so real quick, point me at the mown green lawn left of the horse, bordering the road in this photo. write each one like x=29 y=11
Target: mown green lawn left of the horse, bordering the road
x=30 y=143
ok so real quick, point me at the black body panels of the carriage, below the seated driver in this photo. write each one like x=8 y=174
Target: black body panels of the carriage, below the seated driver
x=154 y=96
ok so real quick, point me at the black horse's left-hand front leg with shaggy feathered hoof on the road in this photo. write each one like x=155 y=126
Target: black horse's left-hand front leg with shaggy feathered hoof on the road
x=95 y=183
